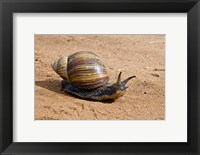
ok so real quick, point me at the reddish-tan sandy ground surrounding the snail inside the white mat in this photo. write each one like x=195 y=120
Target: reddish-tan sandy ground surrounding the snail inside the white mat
x=139 y=55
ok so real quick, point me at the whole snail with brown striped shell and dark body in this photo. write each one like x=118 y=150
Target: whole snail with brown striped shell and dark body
x=85 y=76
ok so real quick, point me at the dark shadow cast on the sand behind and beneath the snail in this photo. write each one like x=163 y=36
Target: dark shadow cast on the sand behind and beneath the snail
x=55 y=86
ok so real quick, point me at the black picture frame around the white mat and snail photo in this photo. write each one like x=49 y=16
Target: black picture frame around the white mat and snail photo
x=8 y=7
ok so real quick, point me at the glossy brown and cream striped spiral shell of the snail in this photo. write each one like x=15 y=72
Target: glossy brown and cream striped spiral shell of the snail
x=83 y=69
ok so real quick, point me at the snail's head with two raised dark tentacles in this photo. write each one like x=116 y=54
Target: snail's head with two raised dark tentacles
x=121 y=85
